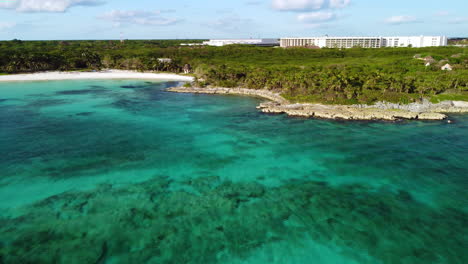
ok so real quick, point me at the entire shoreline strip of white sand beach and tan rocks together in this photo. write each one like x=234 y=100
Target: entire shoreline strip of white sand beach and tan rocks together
x=277 y=104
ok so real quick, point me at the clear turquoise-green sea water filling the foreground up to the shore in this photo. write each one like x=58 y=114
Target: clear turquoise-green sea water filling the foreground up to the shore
x=124 y=172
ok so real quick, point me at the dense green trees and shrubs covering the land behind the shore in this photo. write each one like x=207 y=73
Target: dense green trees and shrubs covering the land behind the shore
x=326 y=75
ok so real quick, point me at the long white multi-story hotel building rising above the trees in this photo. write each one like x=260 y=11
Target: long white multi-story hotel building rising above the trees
x=365 y=42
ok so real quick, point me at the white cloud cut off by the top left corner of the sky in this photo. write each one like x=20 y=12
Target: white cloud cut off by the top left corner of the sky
x=46 y=5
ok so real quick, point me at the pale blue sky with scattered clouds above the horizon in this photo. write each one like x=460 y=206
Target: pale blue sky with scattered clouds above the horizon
x=154 y=19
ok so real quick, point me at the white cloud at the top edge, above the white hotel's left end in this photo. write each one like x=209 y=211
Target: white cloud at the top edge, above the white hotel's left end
x=308 y=5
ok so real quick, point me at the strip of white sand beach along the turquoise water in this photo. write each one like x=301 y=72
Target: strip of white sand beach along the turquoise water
x=107 y=74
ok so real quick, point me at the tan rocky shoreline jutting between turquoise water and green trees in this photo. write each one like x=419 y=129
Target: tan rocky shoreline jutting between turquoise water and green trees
x=380 y=111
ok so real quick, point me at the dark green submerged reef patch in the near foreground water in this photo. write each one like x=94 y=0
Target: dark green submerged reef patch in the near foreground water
x=199 y=220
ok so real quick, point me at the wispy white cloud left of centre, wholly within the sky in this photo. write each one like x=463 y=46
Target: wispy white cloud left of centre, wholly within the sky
x=151 y=18
